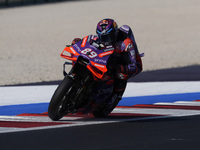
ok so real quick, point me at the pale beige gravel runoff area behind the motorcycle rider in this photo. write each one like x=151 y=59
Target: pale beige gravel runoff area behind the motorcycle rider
x=32 y=37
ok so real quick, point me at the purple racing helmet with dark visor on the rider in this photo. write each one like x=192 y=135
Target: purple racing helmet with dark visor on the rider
x=107 y=31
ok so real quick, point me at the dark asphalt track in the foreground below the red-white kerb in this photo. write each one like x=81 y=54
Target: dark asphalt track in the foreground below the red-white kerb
x=171 y=133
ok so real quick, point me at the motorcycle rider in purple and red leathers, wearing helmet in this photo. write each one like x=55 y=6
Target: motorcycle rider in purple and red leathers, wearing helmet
x=126 y=57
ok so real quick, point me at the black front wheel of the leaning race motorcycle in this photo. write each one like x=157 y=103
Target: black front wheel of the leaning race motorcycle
x=59 y=99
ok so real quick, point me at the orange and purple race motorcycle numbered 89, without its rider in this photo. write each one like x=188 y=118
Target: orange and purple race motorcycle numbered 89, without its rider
x=88 y=84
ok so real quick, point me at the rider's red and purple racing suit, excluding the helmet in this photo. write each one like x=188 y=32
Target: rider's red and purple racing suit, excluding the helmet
x=126 y=56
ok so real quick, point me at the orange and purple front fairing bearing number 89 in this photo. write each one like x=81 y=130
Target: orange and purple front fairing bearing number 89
x=97 y=58
